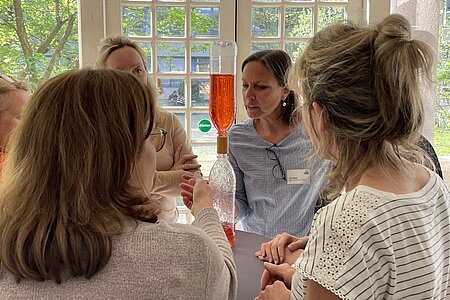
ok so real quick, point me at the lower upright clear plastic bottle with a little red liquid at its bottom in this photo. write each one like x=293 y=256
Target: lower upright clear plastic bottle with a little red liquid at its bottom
x=223 y=183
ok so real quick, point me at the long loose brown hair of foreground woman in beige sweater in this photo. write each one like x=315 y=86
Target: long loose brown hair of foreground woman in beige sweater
x=66 y=191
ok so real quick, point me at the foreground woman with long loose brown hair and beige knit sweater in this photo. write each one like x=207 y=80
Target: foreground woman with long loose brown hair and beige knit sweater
x=75 y=216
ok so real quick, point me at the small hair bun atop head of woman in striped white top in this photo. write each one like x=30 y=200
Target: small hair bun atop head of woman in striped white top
x=394 y=26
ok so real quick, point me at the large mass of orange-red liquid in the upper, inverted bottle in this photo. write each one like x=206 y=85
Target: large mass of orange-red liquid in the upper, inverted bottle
x=222 y=109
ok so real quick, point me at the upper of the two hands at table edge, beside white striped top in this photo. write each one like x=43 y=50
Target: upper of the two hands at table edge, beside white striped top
x=284 y=248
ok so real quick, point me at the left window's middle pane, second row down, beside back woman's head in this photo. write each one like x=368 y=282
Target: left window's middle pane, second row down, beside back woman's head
x=171 y=57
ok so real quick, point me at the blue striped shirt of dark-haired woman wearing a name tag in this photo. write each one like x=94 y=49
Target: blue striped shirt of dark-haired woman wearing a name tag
x=267 y=204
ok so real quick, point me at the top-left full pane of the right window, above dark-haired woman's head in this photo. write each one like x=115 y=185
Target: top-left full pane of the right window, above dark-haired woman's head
x=265 y=22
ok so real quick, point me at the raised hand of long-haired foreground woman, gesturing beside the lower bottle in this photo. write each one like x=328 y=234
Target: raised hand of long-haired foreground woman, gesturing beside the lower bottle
x=196 y=193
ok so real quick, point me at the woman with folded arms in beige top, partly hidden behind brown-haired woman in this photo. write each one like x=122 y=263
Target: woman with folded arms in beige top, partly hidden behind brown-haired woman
x=174 y=152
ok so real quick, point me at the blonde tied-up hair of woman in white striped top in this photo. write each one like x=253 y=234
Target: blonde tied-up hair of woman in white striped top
x=367 y=82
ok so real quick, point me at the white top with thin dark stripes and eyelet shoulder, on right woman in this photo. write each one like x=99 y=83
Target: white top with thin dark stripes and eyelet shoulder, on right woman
x=370 y=244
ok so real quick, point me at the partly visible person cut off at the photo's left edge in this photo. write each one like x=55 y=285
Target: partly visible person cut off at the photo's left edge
x=13 y=99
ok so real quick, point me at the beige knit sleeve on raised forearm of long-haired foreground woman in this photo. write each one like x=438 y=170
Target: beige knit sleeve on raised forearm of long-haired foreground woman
x=222 y=274
